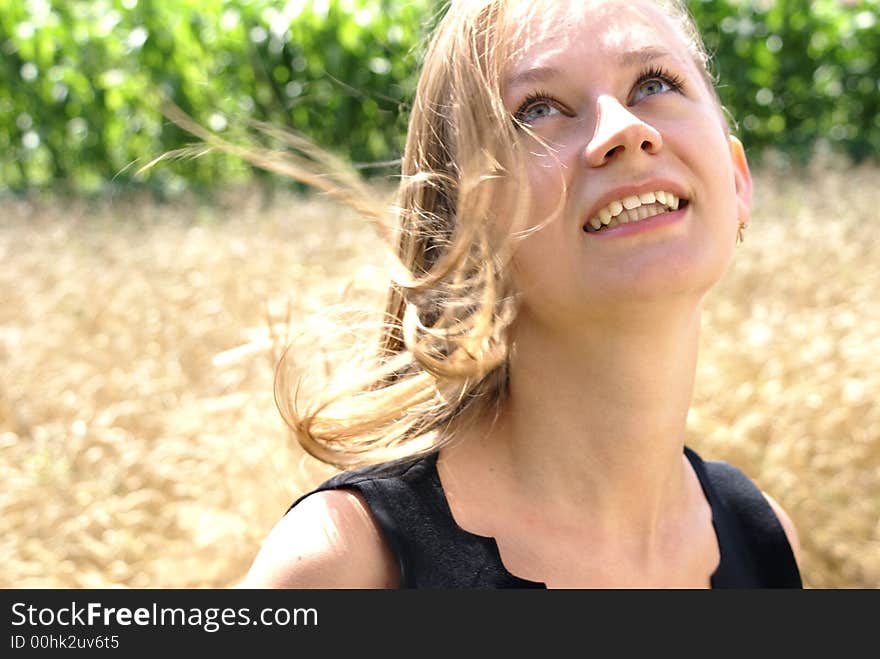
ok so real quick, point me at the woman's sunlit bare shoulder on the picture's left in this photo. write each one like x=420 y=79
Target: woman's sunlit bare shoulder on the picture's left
x=329 y=540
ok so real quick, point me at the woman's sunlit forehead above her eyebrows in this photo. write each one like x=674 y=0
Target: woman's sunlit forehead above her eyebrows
x=581 y=30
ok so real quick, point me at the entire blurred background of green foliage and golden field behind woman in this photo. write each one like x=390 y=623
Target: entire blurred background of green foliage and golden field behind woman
x=142 y=313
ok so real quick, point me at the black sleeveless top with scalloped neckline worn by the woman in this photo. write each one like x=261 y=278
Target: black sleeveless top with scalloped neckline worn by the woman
x=408 y=503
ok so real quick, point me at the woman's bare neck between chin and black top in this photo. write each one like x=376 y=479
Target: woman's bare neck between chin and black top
x=595 y=421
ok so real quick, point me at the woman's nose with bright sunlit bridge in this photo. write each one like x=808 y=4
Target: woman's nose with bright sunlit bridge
x=618 y=131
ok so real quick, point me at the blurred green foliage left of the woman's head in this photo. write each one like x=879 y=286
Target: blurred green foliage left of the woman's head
x=81 y=82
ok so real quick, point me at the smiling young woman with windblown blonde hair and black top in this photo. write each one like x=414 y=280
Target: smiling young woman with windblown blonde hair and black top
x=570 y=193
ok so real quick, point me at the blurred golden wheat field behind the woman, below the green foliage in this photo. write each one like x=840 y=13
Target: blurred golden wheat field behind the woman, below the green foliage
x=139 y=441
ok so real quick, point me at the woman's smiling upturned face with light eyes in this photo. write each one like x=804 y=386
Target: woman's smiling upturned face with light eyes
x=612 y=89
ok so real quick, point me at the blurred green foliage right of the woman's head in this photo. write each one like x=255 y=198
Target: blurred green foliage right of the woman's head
x=798 y=76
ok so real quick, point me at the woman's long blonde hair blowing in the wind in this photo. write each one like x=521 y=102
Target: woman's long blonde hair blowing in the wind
x=442 y=350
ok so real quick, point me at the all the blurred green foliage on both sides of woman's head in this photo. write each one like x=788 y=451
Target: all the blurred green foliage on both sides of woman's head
x=81 y=80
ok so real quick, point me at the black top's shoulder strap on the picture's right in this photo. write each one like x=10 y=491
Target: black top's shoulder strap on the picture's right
x=761 y=529
